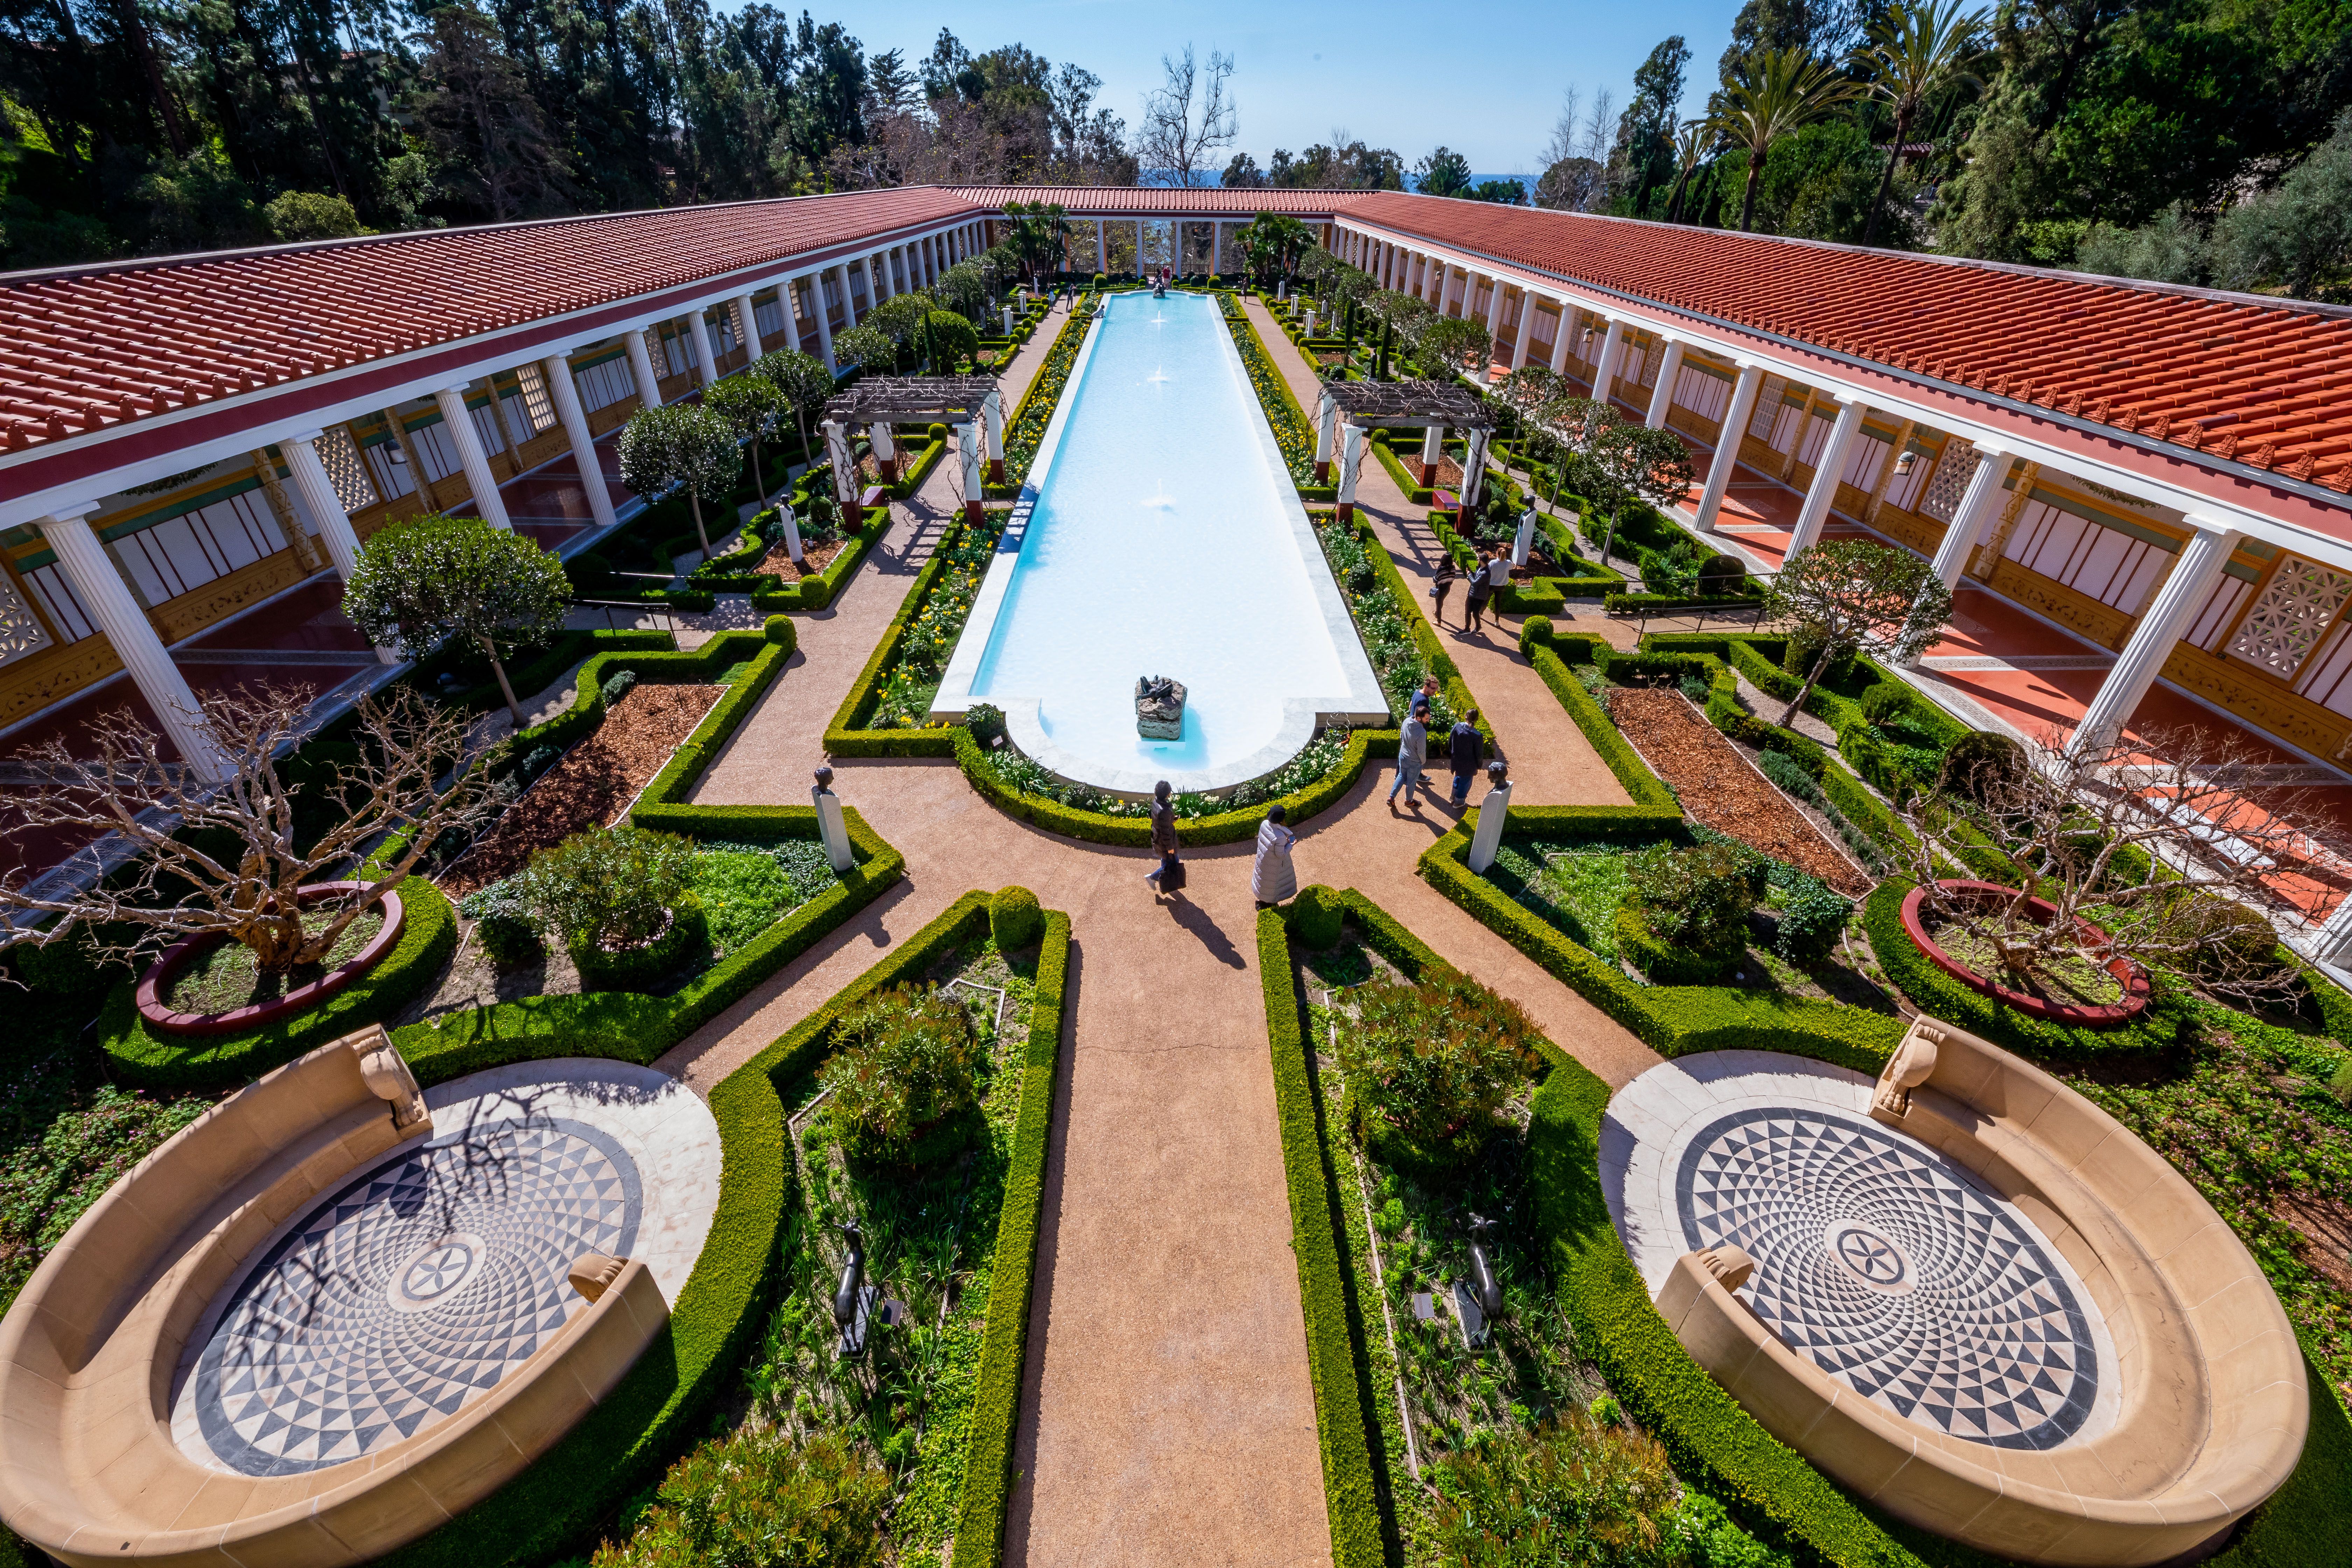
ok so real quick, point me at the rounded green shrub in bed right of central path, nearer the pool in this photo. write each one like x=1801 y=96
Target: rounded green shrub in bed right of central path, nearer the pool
x=1431 y=1064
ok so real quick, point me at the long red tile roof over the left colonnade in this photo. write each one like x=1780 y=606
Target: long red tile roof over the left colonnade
x=83 y=349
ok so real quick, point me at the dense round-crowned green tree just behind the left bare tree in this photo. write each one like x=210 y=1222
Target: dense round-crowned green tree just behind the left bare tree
x=432 y=579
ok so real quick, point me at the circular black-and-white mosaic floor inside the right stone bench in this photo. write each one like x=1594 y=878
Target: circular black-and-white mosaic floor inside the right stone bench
x=1895 y=1273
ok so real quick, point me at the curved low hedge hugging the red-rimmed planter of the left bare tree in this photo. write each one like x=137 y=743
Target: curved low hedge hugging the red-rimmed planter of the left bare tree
x=225 y=1061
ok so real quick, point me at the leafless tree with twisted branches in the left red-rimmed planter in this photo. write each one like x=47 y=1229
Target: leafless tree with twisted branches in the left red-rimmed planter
x=413 y=775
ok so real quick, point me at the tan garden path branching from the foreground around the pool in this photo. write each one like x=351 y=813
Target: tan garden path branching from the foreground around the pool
x=1168 y=1402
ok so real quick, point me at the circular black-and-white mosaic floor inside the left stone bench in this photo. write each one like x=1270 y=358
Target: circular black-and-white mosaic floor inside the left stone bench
x=410 y=1292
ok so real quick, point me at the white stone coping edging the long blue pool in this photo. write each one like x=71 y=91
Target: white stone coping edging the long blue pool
x=1363 y=704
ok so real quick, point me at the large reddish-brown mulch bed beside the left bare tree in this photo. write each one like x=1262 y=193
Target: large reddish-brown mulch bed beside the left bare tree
x=592 y=786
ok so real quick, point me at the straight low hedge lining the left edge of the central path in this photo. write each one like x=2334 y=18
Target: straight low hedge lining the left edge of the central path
x=996 y=1405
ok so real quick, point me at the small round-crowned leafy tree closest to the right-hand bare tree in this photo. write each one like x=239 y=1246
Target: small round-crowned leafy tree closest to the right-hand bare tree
x=1850 y=596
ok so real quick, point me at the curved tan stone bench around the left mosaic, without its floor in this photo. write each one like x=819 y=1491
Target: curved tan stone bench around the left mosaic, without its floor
x=91 y=1348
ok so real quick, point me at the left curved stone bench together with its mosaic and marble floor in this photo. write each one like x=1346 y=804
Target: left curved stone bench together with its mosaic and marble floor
x=335 y=1313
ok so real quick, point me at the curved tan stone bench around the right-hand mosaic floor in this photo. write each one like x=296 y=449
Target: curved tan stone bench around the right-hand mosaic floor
x=2214 y=1395
